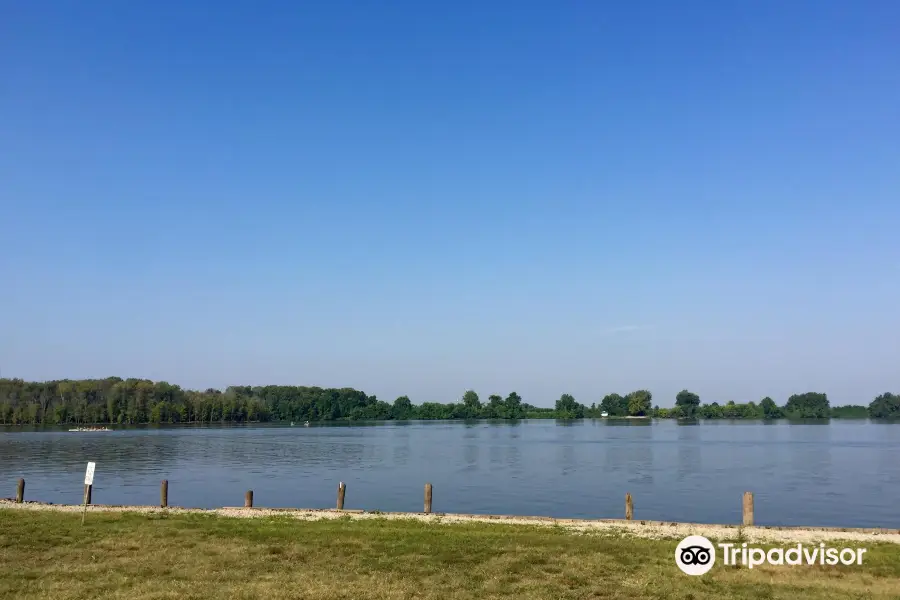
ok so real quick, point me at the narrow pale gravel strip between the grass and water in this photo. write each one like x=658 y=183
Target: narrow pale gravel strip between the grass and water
x=643 y=529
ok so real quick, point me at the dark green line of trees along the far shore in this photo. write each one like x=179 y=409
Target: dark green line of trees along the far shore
x=135 y=401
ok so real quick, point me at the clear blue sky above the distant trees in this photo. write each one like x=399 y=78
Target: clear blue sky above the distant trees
x=419 y=198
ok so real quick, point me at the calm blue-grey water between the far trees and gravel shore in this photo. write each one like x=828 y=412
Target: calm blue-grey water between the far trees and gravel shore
x=842 y=473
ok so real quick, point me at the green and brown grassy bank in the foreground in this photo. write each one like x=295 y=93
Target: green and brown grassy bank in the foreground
x=47 y=554
